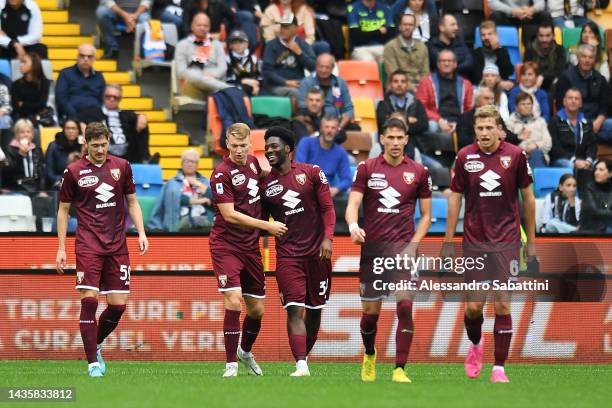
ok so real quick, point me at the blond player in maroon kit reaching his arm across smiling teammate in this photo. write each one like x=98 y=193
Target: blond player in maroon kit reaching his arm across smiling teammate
x=234 y=246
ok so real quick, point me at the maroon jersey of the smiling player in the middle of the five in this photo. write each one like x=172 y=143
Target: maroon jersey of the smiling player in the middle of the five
x=301 y=200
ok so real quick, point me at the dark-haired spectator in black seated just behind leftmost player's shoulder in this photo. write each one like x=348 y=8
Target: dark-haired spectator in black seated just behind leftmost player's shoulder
x=63 y=151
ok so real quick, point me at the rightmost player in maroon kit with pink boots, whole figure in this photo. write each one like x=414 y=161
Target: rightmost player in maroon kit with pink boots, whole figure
x=489 y=173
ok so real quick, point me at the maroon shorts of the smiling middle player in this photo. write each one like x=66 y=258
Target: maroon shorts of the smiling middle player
x=304 y=282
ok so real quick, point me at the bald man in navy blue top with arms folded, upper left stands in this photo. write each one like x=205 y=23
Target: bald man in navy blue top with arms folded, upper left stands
x=79 y=86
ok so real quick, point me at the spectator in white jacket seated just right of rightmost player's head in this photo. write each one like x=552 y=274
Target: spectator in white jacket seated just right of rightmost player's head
x=532 y=131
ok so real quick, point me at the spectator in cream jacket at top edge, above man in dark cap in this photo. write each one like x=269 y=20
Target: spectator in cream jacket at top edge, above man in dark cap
x=270 y=22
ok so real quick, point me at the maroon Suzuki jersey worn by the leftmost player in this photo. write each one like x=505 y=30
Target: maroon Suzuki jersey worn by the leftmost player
x=97 y=193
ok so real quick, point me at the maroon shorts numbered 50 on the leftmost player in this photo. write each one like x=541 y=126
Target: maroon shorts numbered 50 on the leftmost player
x=103 y=273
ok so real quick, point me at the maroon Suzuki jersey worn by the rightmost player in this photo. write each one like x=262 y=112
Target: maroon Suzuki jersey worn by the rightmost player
x=490 y=183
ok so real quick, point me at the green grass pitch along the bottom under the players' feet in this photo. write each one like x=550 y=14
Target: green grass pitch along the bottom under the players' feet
x=162 y=384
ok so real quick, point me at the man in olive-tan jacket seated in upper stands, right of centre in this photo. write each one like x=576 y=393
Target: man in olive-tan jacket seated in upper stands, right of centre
x=407 y=54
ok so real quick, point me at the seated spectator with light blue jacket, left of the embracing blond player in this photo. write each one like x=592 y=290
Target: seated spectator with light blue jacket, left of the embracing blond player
x=185 y=200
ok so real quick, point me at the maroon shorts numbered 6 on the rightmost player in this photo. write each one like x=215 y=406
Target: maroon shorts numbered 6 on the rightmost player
x=500 y=265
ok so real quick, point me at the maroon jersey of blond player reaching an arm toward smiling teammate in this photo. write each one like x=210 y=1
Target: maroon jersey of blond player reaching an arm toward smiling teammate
x=233 y=183
